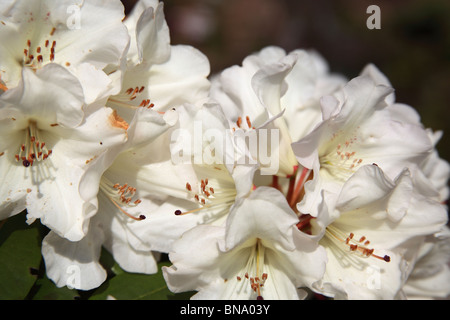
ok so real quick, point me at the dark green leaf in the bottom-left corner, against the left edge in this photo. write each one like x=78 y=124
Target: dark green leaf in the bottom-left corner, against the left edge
x=20 y=256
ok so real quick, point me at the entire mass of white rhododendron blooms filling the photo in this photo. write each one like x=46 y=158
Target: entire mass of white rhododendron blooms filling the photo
x=274 y=179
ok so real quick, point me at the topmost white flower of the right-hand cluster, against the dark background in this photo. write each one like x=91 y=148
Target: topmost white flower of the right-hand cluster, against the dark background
x=272 y=90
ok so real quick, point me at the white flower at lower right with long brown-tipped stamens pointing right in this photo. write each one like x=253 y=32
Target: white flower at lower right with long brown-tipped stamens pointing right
x=366 y=236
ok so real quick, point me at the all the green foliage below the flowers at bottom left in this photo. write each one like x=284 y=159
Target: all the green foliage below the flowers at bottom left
x=22 y=271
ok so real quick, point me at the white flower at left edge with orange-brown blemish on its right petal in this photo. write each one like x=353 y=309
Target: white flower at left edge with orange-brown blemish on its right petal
x=51 y=142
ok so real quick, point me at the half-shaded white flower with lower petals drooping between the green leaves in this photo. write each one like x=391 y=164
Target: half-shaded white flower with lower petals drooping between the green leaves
x=120 y=209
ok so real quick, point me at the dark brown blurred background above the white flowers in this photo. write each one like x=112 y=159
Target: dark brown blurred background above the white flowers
x=412 y=47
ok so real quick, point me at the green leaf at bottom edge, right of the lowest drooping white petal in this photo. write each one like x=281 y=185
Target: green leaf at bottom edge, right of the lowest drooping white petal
x=132 y=286
